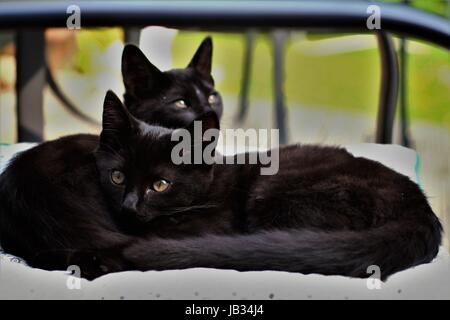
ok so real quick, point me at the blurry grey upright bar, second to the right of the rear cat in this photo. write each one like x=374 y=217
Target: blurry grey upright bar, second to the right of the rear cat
x=279 y=42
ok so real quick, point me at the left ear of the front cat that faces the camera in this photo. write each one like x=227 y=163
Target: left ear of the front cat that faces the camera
x=117 y=123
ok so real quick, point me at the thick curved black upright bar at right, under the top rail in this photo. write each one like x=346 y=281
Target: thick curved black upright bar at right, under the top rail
x=388 y=89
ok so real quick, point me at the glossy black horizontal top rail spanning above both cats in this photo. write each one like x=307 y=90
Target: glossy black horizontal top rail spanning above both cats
x=232 y=15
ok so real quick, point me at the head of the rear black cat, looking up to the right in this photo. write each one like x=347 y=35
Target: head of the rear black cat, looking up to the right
x=171 y=98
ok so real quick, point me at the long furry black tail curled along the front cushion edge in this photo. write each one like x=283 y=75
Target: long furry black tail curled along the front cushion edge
x=394 y=246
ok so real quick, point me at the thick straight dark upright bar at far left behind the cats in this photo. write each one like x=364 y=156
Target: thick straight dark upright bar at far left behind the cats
x=30 y=59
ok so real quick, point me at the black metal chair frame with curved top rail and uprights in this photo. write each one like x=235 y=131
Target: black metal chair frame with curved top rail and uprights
x=29 y=20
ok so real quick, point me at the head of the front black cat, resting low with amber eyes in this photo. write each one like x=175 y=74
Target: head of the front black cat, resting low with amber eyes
x=137 y=174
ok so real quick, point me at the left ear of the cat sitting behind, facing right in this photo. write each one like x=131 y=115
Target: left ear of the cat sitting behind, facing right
x=139 y=74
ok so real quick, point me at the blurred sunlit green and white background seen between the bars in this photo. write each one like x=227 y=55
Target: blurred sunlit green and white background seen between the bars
x=331 y=86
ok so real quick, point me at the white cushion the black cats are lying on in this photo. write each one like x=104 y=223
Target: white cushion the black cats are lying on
x=430 y=281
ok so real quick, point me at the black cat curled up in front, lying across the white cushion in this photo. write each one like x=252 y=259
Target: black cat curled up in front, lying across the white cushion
x=117 y=202
